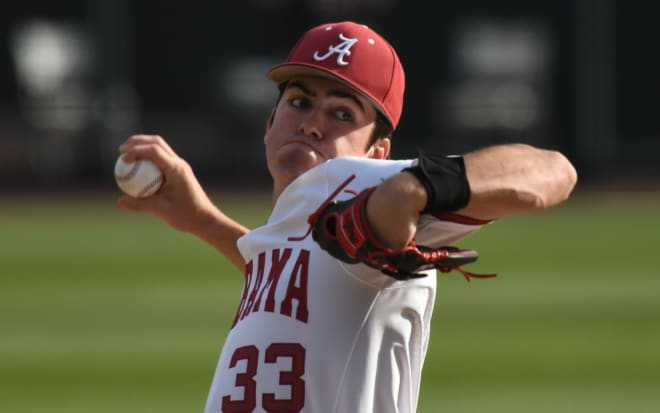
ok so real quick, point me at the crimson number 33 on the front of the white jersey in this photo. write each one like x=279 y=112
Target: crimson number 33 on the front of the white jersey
x=292 y=378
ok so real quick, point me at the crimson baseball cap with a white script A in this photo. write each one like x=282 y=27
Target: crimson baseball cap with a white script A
x=353 y=54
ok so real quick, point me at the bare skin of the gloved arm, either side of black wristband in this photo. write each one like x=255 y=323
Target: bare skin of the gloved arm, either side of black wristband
x=503 y=180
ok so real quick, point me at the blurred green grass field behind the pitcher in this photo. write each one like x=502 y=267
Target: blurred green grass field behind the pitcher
x=107 y=311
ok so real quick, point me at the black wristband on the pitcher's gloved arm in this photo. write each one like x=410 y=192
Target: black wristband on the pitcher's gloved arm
x=445 y=181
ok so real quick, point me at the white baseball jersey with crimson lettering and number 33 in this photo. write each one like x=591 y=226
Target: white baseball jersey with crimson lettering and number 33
x=314 y=334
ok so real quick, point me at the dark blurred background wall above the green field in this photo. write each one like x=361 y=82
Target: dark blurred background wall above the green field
x=80 y=76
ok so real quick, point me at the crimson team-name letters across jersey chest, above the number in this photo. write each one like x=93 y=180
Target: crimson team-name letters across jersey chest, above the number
x=263 y=277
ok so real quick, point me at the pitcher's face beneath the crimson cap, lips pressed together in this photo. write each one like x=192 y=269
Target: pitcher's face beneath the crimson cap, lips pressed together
x=318 y=119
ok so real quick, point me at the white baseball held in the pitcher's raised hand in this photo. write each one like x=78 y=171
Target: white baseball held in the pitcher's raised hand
x=139 y=179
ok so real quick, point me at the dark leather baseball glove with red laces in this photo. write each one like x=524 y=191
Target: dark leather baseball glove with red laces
x=341 y=228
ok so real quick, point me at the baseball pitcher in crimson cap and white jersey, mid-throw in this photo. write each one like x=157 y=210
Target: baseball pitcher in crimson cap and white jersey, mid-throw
x=340 y=281
